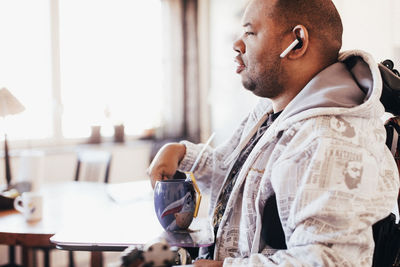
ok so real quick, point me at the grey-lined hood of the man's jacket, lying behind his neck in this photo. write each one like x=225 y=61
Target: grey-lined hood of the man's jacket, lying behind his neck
x=349 y=87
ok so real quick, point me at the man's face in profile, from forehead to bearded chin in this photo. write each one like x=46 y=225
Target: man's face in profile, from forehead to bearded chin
x=259 y=50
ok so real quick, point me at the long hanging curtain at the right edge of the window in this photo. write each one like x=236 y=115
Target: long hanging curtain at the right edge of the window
x=181 y=96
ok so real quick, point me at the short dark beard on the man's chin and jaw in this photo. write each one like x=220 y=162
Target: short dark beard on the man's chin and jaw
x=266 y=83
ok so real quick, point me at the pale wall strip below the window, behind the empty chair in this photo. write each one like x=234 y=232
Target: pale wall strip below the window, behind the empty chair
x=129 y=162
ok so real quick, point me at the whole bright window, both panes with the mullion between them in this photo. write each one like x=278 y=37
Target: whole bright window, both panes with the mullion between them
x=110 y=65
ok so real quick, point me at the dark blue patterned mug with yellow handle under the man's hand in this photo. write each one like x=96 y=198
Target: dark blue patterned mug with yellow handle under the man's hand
x=176 y=202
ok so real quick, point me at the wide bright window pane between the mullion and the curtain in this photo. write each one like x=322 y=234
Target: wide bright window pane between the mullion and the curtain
x=111 y=70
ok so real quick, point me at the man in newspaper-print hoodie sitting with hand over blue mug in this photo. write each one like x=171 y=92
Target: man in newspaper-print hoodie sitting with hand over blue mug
x=279 y=193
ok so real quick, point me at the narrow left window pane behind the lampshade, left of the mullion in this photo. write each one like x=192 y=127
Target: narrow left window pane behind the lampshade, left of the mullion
x=25 y=66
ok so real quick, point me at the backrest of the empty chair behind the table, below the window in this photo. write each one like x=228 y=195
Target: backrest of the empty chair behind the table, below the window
x=93 y=165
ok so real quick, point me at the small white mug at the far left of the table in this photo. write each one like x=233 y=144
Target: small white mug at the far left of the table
x=30 y=204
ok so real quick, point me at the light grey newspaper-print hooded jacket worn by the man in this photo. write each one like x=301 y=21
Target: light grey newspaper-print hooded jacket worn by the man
x=326 y=161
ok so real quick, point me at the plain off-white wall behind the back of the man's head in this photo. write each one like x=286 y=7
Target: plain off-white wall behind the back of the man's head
x=372 y=26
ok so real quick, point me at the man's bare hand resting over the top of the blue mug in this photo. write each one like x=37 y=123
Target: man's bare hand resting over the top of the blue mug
x=166 y=162
